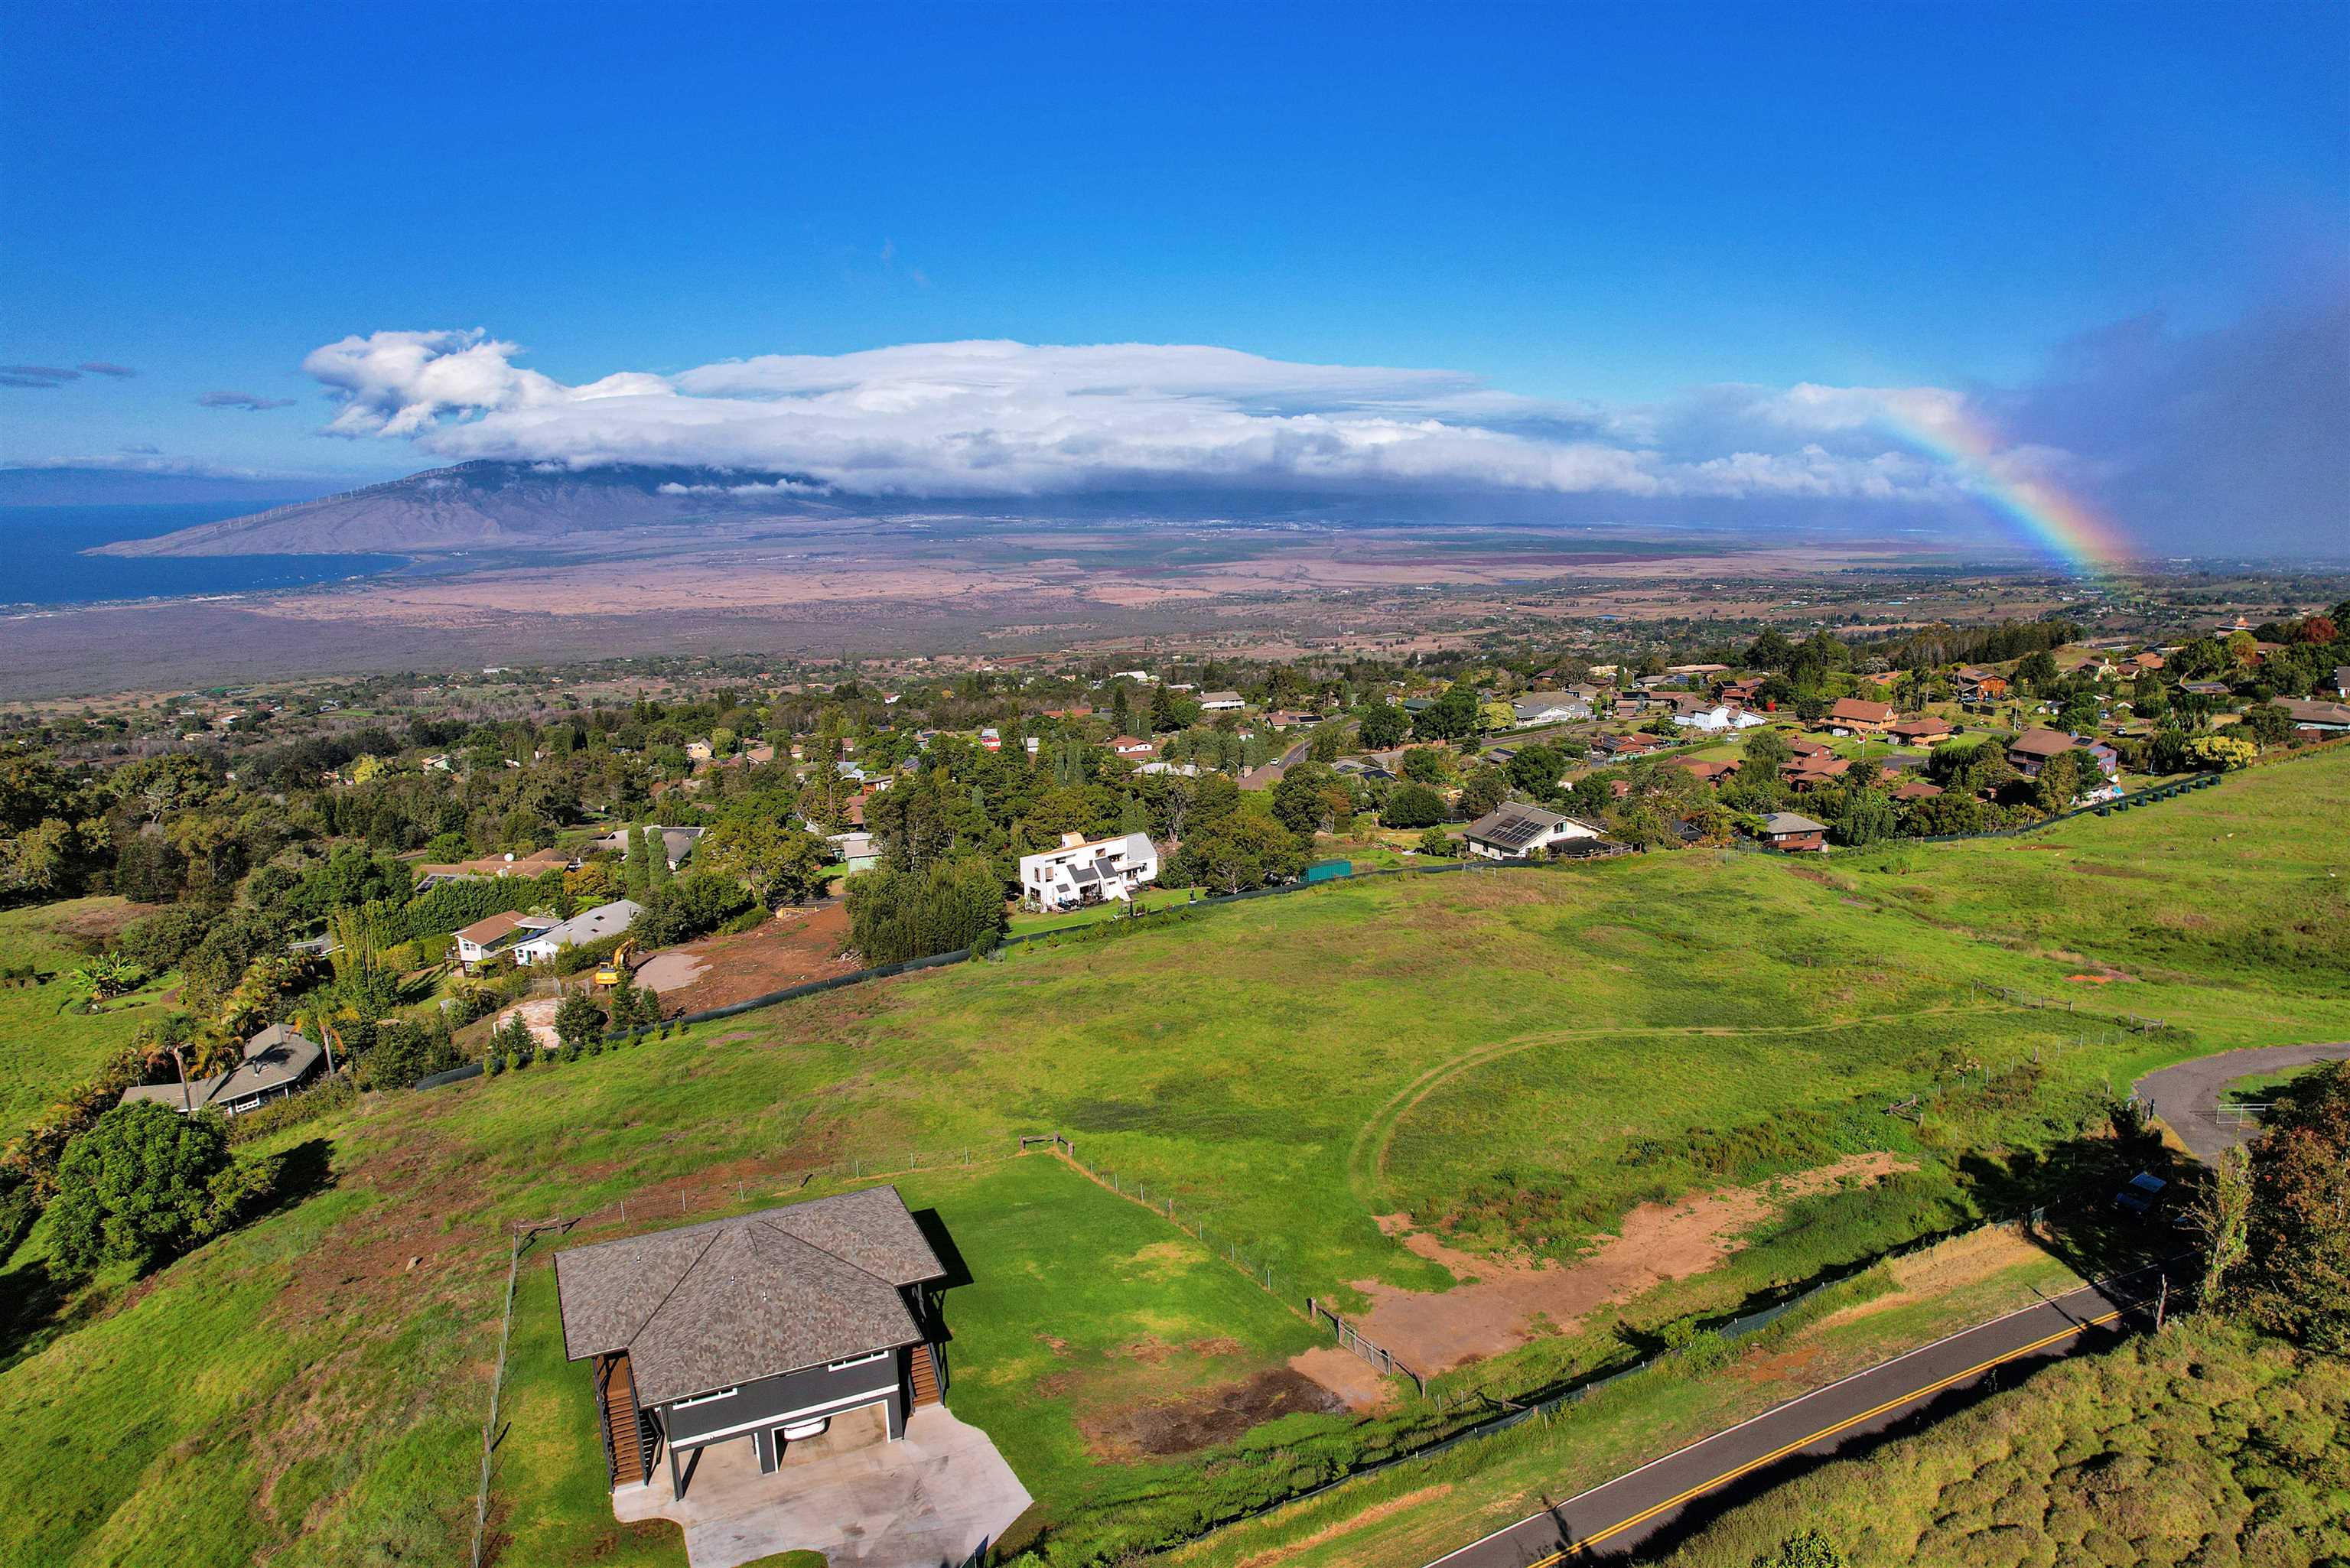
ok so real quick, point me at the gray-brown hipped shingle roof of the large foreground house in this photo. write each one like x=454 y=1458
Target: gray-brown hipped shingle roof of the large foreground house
x=732 y=1301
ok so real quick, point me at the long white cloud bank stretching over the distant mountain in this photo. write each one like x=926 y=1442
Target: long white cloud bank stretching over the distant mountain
x=1016 y=420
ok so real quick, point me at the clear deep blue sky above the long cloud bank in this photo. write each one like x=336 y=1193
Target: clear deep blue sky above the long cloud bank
x=1597 y=206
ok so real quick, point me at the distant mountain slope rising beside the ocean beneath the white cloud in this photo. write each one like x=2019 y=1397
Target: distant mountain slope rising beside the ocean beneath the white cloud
x=474 y=507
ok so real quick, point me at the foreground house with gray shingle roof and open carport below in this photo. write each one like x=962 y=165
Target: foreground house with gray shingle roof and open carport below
x=763 y=1327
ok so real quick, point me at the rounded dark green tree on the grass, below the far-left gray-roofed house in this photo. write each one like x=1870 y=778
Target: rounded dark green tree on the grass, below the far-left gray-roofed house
x=137 y=1186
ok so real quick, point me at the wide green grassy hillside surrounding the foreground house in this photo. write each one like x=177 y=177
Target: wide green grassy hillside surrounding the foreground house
x=1510 y=1057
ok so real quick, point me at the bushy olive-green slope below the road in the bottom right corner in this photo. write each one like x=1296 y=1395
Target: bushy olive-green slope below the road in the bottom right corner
x=2201 y=1445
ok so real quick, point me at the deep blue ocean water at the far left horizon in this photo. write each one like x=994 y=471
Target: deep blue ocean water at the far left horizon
x=43 y=565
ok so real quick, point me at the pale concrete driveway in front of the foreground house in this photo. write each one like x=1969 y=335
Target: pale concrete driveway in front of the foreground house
x=927 y=1501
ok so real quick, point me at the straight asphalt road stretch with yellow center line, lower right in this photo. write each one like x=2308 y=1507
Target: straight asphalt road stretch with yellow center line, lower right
x=1616 y=1517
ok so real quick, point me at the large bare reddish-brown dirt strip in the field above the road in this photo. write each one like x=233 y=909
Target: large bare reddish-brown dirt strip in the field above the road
x=1508 y=1304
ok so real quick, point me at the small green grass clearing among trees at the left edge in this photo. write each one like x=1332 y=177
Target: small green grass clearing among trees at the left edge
x=46 y=1052
